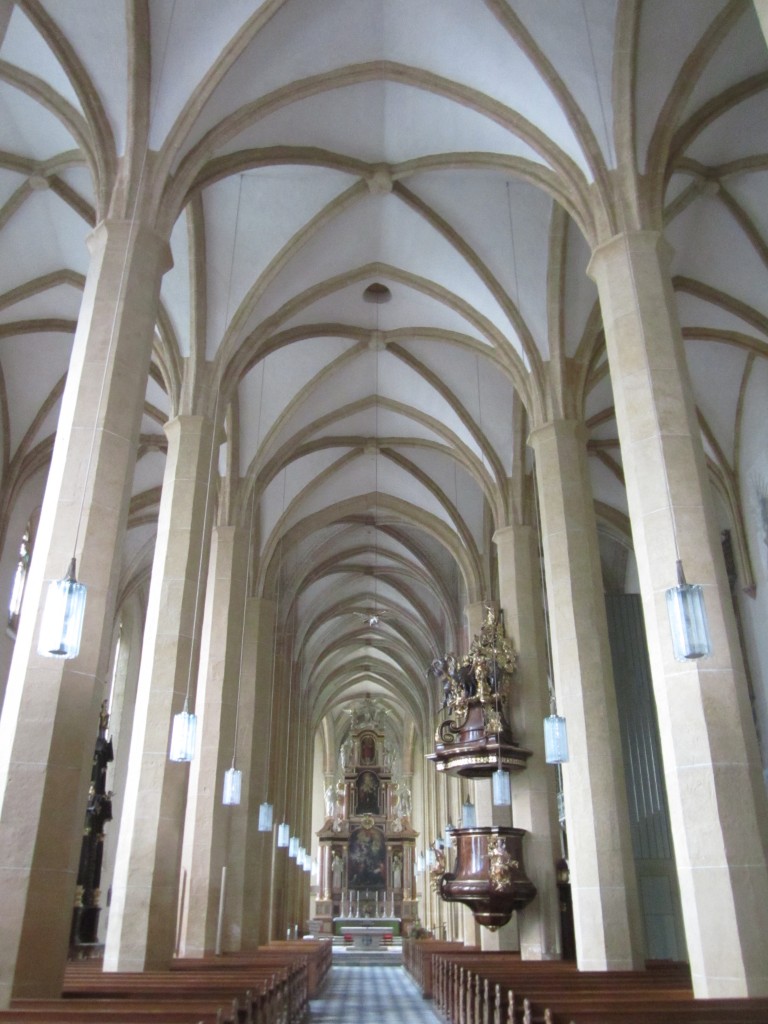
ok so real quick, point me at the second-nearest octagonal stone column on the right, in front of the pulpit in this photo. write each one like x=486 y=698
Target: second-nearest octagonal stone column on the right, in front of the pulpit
x=606 y=903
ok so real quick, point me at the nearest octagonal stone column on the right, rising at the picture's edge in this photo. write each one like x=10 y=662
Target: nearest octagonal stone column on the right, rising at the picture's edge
x=711 y=760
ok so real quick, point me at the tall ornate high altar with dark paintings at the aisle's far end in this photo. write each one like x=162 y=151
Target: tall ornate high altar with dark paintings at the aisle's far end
x=367 y=844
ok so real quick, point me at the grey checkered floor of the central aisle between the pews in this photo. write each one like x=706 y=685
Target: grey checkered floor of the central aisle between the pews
x=383 y=995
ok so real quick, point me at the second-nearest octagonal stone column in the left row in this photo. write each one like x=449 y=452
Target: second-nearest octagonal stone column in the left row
x=146 y=888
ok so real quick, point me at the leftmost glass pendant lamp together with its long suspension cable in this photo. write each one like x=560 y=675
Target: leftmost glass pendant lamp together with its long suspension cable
x=64 y=612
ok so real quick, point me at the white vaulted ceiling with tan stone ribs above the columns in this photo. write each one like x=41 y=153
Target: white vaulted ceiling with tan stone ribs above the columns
x=463 y=157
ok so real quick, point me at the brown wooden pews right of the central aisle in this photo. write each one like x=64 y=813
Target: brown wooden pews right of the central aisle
x=471 y=987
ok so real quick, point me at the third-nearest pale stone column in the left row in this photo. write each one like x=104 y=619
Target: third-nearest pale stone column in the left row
x=214 y=834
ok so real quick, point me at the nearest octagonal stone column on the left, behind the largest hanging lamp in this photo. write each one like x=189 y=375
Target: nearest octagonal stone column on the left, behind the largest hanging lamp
x=51 y=708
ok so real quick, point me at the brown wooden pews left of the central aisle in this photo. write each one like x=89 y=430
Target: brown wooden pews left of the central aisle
x=270 y=986
